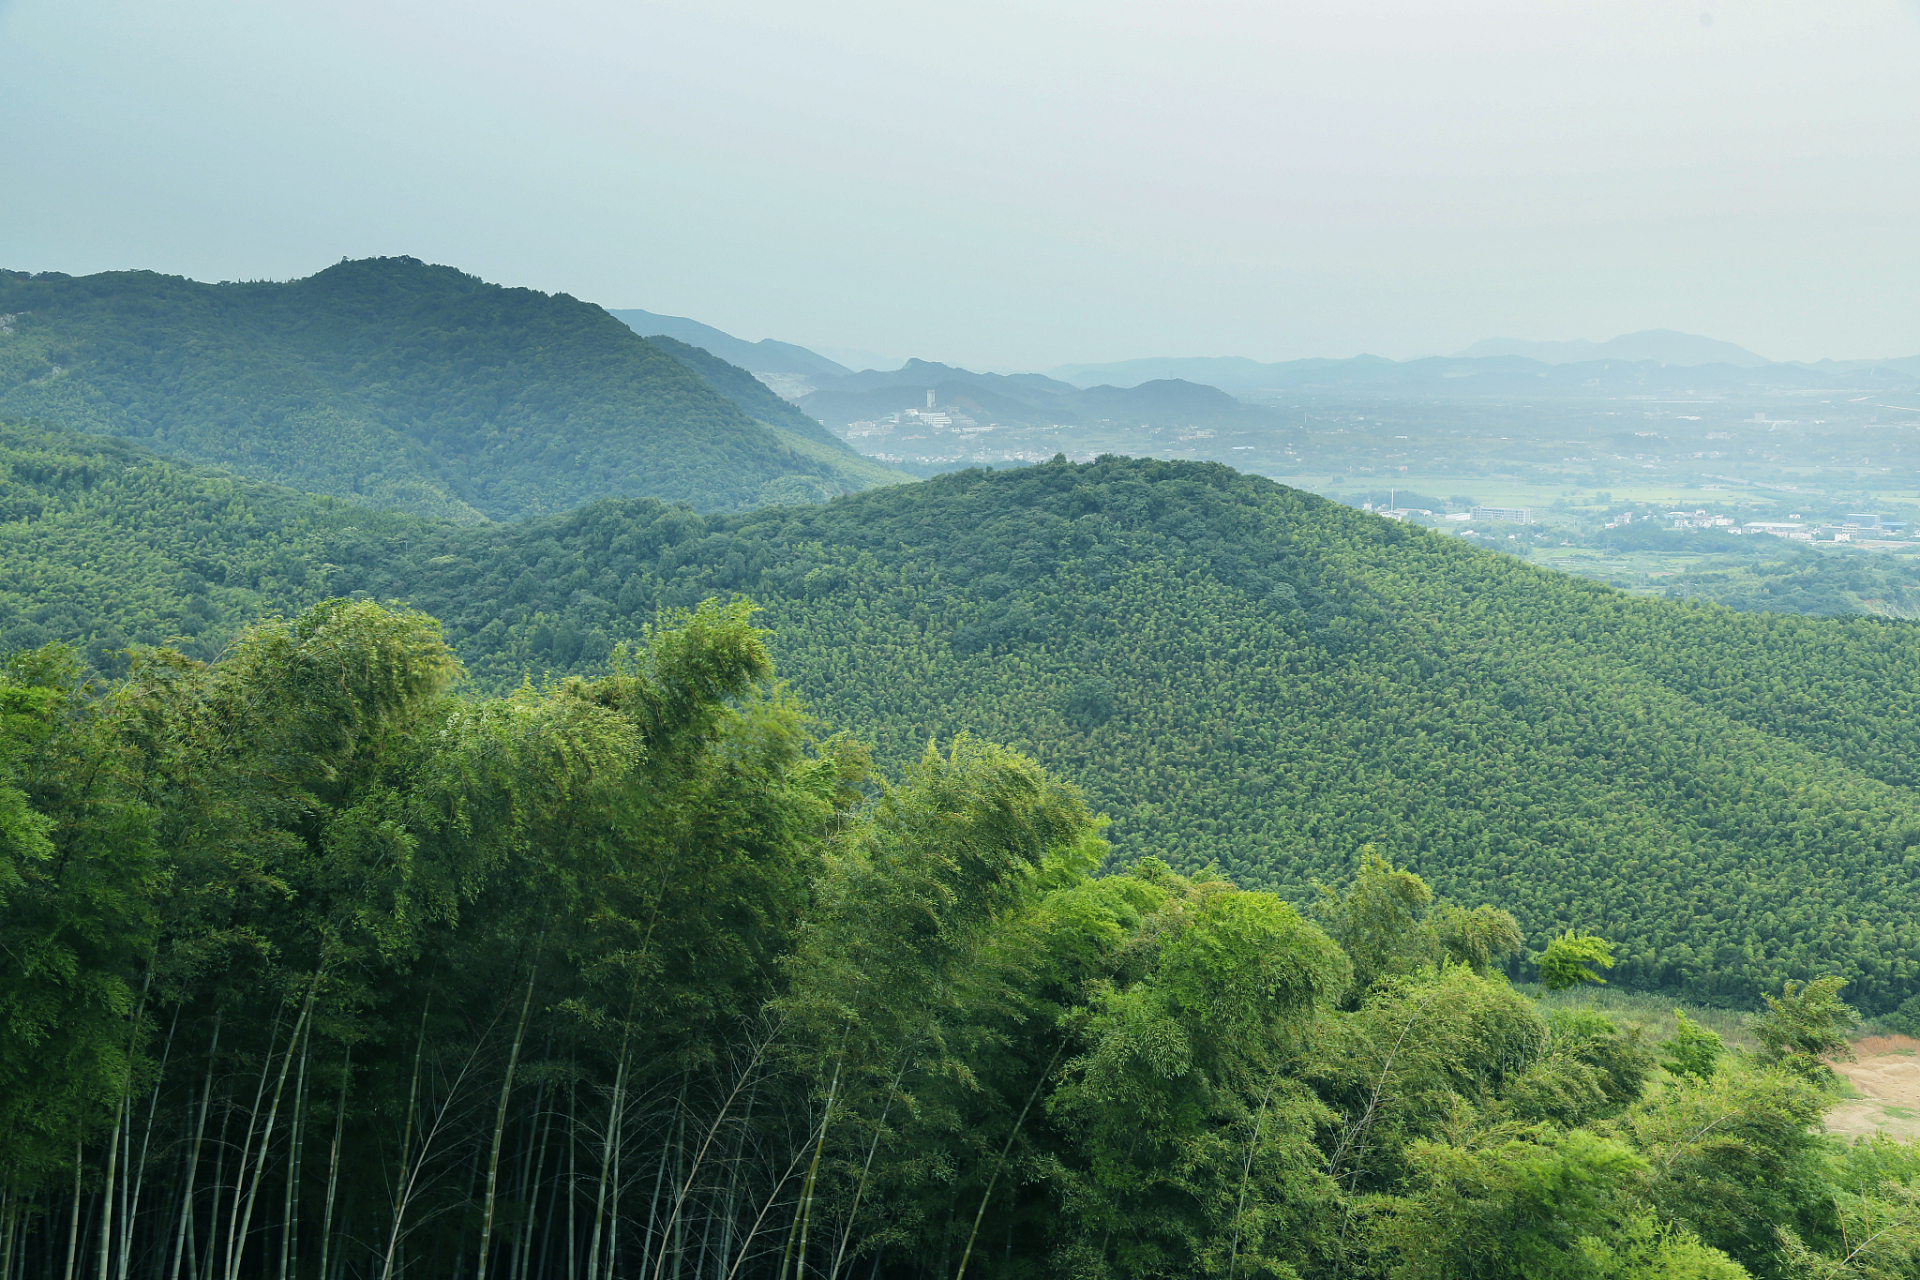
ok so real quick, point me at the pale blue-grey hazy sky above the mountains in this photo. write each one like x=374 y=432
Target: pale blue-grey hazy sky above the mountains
x=1011 y=185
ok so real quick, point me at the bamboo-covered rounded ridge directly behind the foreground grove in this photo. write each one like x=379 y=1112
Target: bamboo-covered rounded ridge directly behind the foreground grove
x=1237 y=675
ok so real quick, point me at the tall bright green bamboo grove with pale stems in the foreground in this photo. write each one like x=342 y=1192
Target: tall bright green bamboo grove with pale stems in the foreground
x=337 y=972
